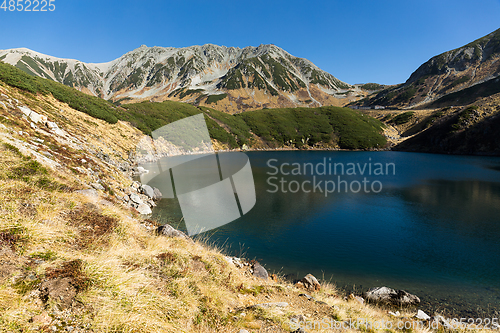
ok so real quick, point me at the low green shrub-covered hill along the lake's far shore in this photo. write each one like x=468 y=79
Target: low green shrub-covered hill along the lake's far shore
x=270 y=128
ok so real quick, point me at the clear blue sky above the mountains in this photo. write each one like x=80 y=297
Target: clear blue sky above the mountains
x=357 y=41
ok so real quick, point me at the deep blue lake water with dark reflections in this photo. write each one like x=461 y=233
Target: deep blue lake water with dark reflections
x=430 y=225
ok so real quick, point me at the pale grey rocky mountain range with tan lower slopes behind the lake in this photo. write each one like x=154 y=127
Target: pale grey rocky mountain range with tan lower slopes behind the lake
x=226 y=78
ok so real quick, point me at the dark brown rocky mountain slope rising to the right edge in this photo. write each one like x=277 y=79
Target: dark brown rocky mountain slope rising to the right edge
x=456 y=77
